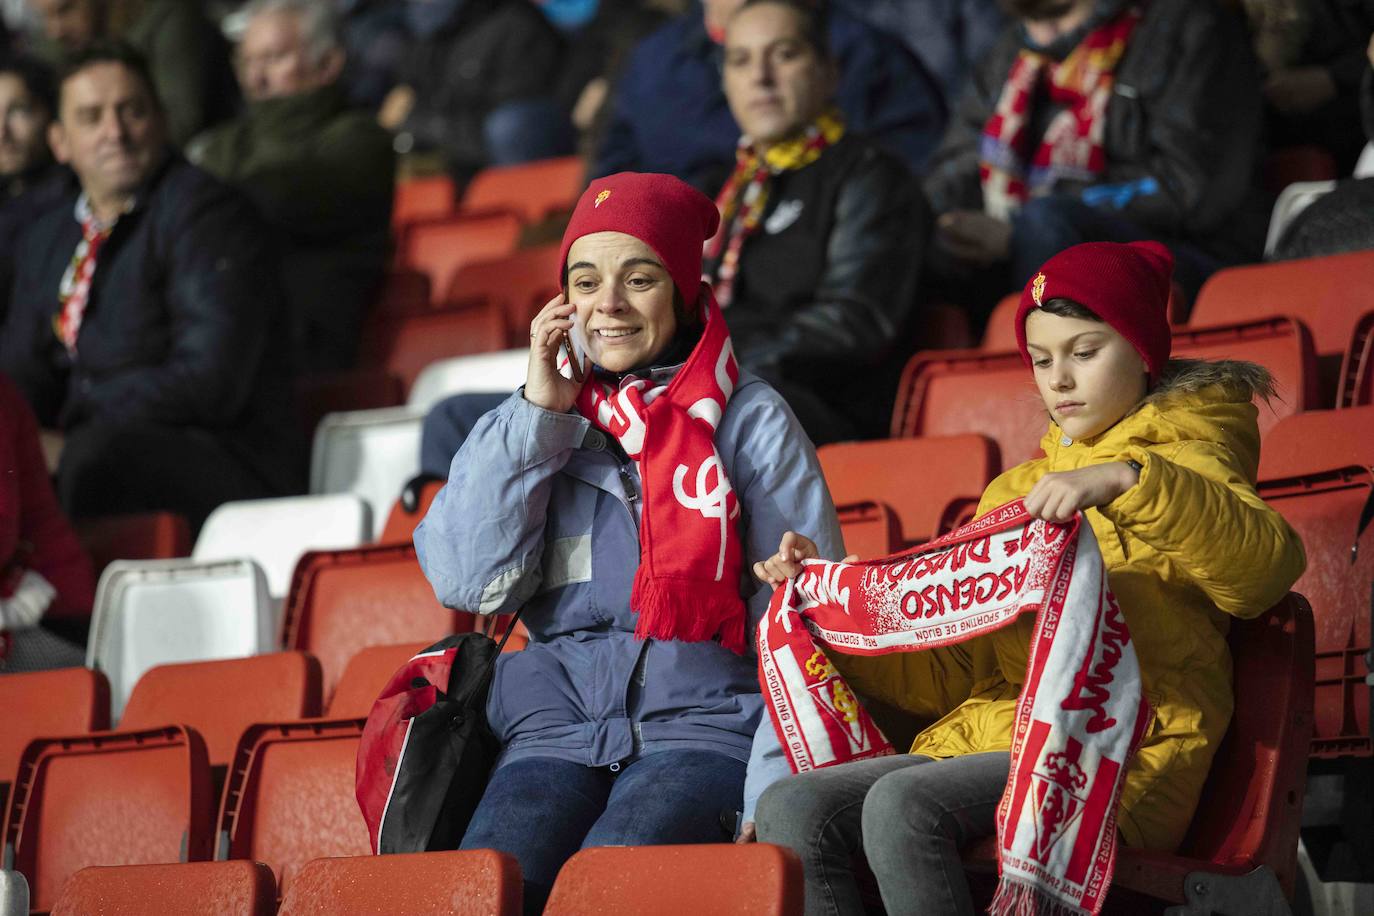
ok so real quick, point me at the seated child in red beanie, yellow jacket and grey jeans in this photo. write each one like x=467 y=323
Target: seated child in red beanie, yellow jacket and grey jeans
x=1160 y=455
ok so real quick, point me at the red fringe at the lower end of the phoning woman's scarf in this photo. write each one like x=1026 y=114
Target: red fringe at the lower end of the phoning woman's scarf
x=689 y=612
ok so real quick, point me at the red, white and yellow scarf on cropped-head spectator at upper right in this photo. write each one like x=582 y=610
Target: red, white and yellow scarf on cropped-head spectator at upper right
x=1072 y=146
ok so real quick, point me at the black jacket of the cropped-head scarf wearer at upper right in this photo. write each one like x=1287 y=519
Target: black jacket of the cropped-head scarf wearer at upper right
x=1186 y=112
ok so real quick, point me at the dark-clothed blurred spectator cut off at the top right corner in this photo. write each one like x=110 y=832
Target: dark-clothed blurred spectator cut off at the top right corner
x=1313 y=53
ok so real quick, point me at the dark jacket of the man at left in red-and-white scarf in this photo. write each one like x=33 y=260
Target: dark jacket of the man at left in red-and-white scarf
x=185 y=328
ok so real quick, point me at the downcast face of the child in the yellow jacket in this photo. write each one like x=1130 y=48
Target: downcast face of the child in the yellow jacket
x=1089 y=376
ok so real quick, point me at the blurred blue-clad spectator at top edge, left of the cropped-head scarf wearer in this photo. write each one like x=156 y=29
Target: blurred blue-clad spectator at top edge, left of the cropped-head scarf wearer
x=950 y=36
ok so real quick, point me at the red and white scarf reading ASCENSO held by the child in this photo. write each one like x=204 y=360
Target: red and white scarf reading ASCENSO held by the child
x=1081 y=715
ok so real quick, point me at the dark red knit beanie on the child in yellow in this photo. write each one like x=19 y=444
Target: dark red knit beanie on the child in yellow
x=1127 y=286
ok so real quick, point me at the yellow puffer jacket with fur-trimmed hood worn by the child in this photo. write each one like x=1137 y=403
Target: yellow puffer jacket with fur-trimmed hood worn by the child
x=1185 y=549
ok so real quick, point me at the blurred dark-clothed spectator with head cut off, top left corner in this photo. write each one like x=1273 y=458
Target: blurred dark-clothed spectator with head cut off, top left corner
x=188 y=56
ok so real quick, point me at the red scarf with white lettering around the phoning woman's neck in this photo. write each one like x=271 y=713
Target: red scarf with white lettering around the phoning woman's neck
x=688 y=584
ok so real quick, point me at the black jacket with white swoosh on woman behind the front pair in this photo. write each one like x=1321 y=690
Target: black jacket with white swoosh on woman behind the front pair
x=826 y=284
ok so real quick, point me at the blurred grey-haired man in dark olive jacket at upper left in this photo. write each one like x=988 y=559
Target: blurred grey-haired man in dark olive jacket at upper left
x=321 y=174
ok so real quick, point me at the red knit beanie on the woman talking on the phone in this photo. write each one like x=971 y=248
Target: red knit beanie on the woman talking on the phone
x=666 y=214
